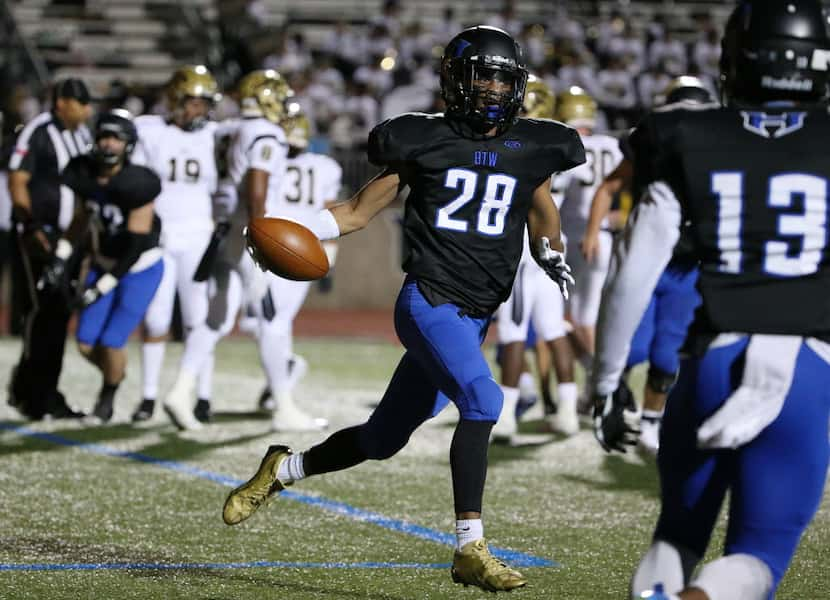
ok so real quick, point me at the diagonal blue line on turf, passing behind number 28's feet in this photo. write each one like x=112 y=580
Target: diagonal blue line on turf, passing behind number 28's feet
x=519 y=559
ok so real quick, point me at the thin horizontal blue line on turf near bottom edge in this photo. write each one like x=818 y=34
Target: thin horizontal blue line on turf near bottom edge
x=245 y=565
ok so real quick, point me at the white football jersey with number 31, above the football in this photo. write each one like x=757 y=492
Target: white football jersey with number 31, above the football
x=311 y=180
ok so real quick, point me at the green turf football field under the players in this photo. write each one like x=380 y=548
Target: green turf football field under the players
x=119 y=512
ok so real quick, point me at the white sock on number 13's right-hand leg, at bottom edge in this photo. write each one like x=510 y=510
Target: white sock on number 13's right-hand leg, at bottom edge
x=735 y=576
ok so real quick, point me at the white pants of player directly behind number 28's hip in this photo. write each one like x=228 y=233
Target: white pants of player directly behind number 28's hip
x=535 y=298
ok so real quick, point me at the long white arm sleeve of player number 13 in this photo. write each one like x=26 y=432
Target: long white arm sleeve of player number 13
x=639 y=258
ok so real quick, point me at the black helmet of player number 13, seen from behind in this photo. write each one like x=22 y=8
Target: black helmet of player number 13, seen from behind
x=775 y=50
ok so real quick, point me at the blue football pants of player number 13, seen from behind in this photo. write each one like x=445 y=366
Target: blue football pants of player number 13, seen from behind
x=775 y=482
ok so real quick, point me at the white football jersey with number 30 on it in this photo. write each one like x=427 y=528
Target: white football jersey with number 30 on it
x=574 y=190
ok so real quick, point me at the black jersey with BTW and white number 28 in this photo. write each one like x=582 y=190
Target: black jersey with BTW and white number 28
x=465 y=217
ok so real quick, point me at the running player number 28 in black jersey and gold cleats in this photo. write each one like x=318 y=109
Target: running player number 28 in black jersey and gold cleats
x=478 y=177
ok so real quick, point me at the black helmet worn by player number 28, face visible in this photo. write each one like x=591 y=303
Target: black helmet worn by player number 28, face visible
x=472 y=61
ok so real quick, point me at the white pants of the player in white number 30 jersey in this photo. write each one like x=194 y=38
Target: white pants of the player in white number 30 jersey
x=586 y=294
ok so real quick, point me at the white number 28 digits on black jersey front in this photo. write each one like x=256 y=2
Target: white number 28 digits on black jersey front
x=498 y=195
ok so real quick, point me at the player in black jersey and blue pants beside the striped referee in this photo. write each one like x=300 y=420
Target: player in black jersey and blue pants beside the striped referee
x=116 y=208
